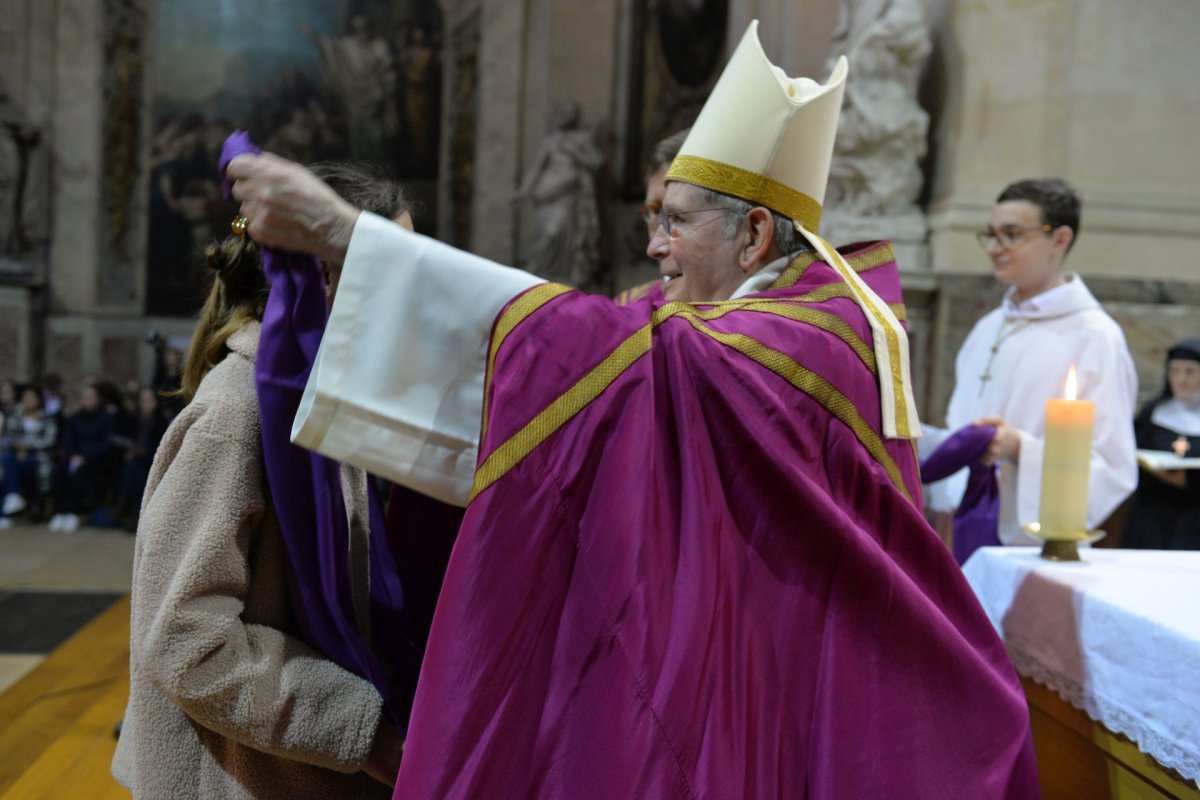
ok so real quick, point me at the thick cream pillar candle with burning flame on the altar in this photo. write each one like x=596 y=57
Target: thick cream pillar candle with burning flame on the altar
x=1066 y=458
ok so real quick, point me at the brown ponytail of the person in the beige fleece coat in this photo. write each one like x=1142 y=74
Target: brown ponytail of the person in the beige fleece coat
x=238 y=297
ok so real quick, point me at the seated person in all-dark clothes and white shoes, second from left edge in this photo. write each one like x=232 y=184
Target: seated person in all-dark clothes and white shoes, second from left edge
x=82 y=477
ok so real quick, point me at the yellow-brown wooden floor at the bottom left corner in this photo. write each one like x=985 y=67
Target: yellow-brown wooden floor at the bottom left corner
x=57 y=723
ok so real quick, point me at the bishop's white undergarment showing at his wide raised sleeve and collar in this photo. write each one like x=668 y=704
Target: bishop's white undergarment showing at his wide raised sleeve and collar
x=398 y=388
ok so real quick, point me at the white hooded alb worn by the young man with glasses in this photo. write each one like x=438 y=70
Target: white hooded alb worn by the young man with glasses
x=1036 y=344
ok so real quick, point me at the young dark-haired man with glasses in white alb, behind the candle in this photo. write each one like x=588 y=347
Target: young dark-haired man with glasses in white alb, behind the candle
x=1019 y=354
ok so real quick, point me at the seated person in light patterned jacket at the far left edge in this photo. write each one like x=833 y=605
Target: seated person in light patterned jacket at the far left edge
x=29 y=459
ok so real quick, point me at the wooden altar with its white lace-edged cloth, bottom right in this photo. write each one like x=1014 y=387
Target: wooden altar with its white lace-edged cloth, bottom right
x=1109 y=654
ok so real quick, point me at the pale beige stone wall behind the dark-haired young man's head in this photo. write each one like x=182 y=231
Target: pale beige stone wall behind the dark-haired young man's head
x=1101 y=93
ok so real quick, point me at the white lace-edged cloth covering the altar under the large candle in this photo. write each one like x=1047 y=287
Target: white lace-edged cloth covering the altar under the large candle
x=1118 y=636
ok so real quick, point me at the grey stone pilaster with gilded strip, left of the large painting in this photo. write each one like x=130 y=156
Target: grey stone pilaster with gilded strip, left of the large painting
x=83 y=304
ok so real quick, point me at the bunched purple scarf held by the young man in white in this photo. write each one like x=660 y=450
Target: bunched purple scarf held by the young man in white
x=977 y=519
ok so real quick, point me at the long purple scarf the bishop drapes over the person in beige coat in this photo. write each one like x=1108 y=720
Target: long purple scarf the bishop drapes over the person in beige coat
x=307 y=491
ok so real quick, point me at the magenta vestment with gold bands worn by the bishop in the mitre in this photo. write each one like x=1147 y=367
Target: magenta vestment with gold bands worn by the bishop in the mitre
x=698 y=572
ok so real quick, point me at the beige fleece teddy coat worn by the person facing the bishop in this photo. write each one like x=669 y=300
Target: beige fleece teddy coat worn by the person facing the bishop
x=225 y=702
